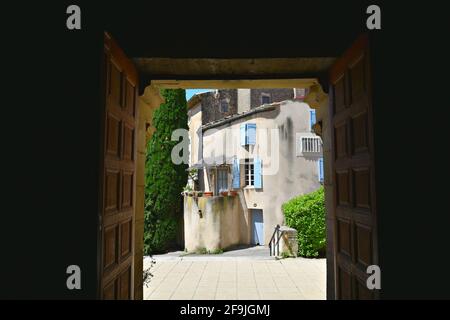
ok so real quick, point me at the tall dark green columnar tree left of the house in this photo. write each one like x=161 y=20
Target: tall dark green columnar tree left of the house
x=164 y=181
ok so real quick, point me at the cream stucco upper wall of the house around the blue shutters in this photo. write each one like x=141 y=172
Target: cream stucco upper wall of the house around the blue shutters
x=294 y=174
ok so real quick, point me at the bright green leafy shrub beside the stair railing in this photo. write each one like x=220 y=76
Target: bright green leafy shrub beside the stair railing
x=306 y=214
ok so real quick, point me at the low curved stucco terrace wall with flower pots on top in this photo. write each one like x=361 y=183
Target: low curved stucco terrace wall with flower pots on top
x=222 y=224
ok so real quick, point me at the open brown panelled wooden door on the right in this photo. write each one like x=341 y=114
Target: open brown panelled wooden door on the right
x=353 y=172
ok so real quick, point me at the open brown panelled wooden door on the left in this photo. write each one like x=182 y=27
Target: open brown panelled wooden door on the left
x=118 y=177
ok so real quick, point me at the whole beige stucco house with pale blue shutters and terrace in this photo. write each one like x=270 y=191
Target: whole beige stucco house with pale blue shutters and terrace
x=261 y=150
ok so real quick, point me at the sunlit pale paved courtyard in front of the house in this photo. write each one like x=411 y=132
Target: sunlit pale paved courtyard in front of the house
x=232 y=276
